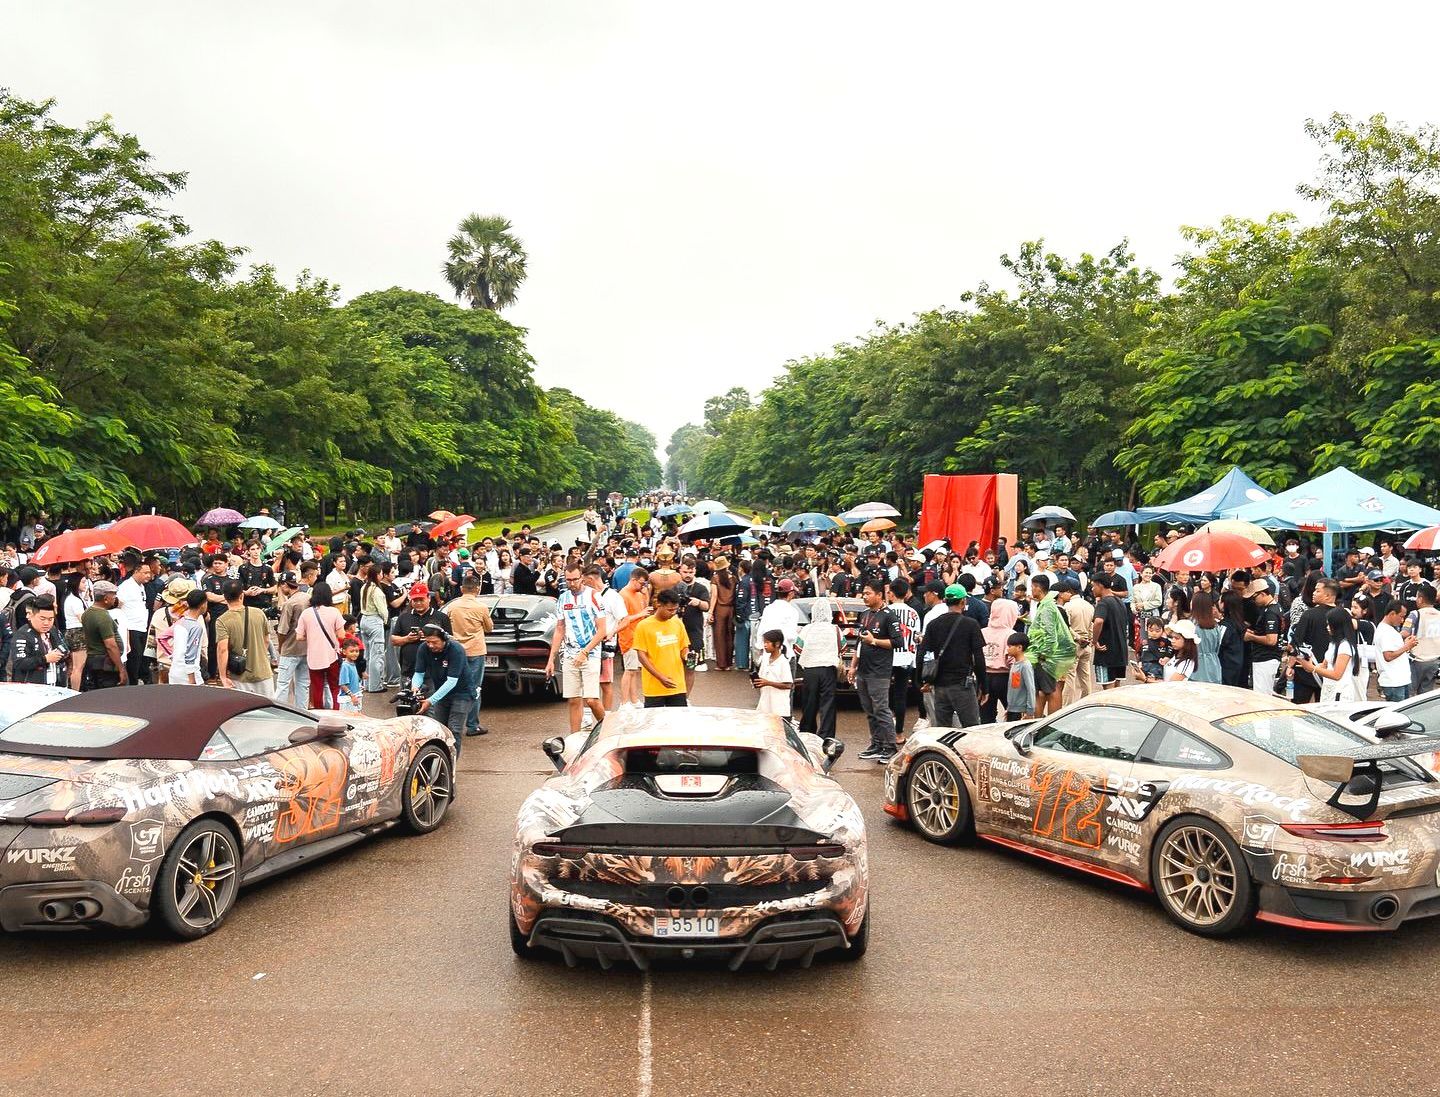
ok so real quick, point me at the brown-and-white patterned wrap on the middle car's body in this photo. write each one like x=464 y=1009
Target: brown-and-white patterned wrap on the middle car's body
x=811 y=870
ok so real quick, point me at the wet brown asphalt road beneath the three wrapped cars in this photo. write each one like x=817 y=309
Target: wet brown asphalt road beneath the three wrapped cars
x=388 y=970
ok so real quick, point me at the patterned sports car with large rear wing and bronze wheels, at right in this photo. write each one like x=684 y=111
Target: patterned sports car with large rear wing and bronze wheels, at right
x=1228 y=805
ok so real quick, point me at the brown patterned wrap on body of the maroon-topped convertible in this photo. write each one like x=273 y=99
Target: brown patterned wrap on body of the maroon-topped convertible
x=99 y=830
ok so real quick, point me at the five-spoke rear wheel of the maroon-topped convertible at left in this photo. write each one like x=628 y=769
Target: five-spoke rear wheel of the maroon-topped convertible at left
x=198 y=880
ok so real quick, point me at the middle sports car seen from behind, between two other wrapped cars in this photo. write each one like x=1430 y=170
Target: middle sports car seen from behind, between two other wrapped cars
x=690 y=833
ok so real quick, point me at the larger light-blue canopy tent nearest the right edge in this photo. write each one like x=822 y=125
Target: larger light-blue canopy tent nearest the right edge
x=1338 y=502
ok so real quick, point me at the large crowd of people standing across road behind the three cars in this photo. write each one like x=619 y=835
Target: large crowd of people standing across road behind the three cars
x=983 y=633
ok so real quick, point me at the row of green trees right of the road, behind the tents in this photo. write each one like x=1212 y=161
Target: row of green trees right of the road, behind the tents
x=1285 y=348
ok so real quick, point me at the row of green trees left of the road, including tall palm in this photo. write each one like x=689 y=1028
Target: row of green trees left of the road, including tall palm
x=143 y=366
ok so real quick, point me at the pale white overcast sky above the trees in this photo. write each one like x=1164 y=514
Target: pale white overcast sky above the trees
x=708 y=191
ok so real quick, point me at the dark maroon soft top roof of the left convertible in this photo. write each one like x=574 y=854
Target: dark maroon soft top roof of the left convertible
x=179 y=721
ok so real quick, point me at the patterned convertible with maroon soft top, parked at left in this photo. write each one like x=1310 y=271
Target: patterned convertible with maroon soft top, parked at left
x=161 y=801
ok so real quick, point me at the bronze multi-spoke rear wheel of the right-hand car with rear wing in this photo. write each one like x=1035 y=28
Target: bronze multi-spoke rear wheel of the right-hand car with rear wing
x=1202 y=877
